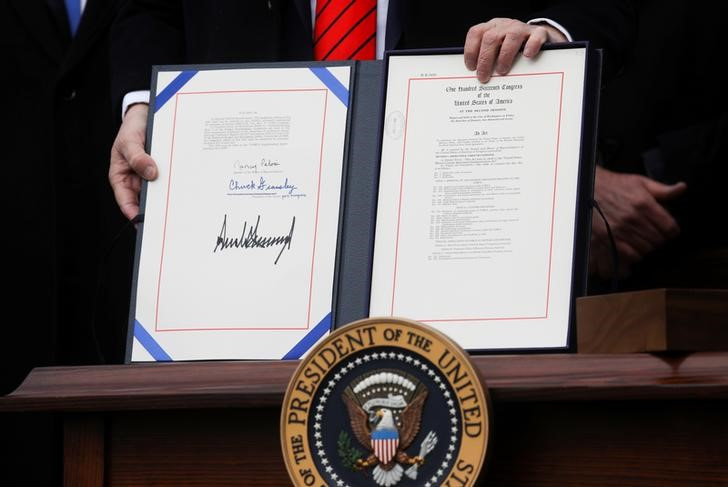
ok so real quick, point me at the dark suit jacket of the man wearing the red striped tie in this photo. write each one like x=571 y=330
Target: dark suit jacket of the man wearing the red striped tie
x=202 y=31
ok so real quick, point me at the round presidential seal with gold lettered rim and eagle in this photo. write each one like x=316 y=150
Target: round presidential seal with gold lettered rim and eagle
x=385 y=402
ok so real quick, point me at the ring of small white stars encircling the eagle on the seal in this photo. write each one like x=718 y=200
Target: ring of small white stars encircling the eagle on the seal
x=408 y=359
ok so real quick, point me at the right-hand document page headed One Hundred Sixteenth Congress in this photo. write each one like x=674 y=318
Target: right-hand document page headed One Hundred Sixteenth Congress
x=477 y=199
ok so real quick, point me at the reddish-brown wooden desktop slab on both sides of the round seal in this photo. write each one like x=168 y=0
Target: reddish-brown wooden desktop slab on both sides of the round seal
x=509 y=378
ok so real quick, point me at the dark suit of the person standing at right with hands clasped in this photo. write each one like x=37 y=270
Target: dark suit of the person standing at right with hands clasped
x=672 y=103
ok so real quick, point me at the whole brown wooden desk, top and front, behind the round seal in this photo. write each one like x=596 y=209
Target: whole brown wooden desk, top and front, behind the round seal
x=559 y=420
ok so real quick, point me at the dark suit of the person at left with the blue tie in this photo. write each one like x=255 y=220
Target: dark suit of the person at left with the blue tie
x=60 y=213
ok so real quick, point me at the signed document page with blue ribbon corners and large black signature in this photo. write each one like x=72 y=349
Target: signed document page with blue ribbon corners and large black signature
x=240 y=232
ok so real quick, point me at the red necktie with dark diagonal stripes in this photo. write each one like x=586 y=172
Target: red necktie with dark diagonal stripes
x=345 y=29
